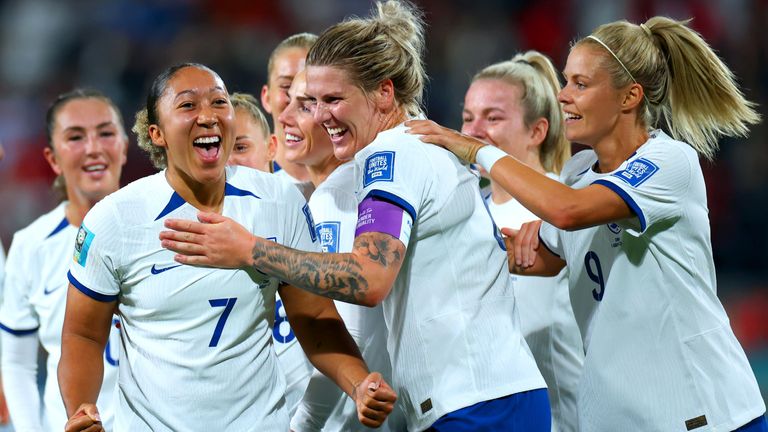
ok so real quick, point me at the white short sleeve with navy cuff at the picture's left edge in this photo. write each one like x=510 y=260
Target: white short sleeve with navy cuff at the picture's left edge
x=17 y=315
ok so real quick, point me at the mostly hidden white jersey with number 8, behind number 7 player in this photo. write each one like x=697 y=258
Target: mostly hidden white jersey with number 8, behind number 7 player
x=293 y=362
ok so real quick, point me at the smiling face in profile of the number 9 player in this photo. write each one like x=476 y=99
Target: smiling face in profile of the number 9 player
x=592 y=105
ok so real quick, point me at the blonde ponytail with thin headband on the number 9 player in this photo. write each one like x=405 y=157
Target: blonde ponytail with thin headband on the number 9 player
x=684 y=81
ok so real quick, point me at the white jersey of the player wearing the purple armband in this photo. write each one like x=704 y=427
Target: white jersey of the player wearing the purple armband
x=453 y=340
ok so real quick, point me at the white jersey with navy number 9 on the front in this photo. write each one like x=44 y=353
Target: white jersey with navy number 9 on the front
x=661 y=354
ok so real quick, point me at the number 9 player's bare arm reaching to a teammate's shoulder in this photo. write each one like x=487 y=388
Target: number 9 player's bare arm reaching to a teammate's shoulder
x=562 y=206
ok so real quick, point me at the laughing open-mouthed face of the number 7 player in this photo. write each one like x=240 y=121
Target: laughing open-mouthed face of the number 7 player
x=196 y=126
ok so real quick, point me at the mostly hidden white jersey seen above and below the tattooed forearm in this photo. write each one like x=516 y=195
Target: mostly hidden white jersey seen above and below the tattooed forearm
x=325 y=406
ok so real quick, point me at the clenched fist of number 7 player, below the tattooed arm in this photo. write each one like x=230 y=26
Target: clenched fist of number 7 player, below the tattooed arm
x=374 y=399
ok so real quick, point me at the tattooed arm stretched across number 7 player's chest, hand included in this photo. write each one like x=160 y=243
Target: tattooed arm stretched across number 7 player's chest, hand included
x=364 y=276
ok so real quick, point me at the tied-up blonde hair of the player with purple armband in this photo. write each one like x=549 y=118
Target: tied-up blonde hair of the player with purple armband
x=388 y=45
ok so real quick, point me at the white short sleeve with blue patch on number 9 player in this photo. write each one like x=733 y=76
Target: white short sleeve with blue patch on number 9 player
x=652 y=184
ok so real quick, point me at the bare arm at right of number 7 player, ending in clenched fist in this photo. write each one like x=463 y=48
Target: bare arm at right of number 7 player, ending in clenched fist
x=331 y=349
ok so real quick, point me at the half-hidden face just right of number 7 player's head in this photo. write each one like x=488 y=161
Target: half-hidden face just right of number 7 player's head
x=251 y=143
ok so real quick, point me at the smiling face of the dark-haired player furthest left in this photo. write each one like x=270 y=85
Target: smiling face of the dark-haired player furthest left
x=89 y=148
